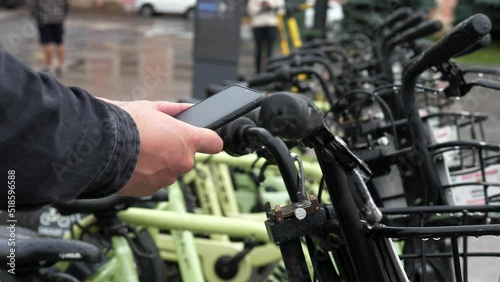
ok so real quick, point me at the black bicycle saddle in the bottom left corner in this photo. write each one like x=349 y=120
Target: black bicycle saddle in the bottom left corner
x=29 y=250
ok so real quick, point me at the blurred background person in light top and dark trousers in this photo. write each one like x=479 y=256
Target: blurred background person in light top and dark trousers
x=264 y=21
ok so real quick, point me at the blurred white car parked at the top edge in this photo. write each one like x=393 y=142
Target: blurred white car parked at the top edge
x=148 y=8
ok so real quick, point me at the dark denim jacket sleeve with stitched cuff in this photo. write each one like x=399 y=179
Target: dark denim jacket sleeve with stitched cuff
x=61 y=142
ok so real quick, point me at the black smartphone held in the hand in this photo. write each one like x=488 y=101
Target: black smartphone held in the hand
x=222 y=108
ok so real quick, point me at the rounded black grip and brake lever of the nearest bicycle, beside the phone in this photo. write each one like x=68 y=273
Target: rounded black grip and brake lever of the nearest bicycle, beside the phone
x=294 y=117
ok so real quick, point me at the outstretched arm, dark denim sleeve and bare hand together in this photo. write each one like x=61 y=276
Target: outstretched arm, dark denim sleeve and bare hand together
x=65 y=144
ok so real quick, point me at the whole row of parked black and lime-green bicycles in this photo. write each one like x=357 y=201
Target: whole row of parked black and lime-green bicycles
x=354 y=168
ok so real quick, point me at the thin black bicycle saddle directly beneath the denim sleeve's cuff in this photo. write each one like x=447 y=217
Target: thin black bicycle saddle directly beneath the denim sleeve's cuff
x=111 y=203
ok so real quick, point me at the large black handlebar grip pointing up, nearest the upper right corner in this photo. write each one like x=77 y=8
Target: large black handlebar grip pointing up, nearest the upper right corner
x=458 y=40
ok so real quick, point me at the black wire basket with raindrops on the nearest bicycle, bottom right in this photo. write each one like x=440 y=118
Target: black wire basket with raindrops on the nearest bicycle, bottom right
x=439 y=238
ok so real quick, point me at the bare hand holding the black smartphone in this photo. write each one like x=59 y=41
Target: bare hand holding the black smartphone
x=168 y=146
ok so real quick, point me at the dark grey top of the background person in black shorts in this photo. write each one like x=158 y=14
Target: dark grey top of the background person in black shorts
x=50 y=11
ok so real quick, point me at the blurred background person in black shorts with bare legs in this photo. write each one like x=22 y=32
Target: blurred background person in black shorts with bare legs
x=50 y=16
